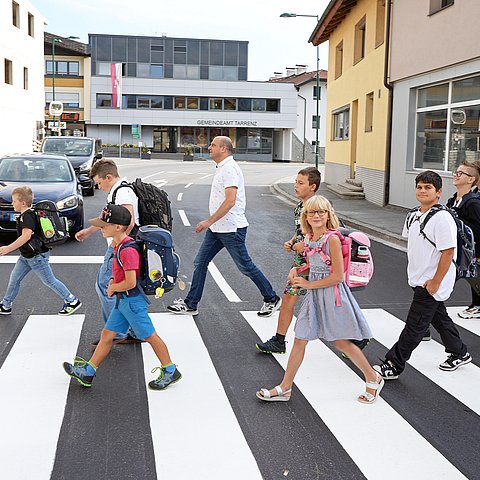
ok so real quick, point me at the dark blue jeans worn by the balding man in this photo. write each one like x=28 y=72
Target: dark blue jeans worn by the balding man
x=234 y=242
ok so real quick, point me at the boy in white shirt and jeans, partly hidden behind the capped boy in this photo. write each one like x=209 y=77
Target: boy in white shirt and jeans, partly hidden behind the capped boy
x=105 y=174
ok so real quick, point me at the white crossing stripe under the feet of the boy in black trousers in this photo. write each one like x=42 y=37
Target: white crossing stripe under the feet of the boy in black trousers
x=463 y=384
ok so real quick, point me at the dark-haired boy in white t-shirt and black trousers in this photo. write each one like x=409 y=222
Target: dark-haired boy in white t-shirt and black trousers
x=431 y=273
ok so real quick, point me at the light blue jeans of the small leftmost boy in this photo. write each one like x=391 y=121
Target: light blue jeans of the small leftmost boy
x=40 y=265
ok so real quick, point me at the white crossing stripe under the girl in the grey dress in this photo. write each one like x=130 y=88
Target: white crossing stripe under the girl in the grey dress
x=331 y=387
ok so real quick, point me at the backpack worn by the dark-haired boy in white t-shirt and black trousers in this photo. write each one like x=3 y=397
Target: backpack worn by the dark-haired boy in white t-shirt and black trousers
x=465 y=262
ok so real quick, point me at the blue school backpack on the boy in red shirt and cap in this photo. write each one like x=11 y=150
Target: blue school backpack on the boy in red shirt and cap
x=158 y=261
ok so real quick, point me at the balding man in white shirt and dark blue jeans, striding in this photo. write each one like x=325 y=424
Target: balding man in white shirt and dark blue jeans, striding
x=225 y=228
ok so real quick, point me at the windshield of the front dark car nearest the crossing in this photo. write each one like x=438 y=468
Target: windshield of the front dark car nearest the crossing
x=35 y=170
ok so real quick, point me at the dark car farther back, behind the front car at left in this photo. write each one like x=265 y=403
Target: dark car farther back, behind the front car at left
x=82 y=152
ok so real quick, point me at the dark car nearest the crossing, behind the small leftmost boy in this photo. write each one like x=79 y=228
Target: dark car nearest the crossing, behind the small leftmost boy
x=51 y=177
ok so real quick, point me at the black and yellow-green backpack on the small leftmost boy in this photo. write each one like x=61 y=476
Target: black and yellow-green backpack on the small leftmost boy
x=51 y=227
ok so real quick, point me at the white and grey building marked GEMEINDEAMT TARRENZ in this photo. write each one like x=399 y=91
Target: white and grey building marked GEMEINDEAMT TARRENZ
x=180 y=92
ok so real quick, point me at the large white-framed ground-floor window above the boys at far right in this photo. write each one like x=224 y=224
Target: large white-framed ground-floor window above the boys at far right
x=448 y=119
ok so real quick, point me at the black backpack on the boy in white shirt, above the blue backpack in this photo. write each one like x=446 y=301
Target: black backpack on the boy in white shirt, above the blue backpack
x=153 y=204
